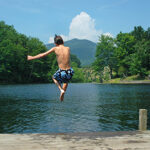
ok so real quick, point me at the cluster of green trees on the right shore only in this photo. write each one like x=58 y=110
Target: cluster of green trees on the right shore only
x=127 y=54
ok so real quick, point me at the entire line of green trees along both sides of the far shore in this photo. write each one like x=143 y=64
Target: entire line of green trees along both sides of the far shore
x=126 y=54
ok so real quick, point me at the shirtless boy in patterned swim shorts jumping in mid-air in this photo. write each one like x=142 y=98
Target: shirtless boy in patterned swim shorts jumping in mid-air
x=65 y=72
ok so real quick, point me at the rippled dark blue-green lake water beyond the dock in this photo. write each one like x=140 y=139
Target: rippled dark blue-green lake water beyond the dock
x=35 y=108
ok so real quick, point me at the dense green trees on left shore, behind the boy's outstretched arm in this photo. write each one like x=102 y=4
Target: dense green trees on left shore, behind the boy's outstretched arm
x=14 y=67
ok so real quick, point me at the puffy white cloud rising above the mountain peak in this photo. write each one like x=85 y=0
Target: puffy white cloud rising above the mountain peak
x=82 y=27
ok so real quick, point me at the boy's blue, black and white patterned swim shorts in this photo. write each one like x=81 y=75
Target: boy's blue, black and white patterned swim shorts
x=63 y=76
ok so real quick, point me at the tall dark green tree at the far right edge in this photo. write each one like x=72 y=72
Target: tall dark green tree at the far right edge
x=140 y=60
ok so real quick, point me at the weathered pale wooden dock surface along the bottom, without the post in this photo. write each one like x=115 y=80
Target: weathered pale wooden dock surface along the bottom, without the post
x=134 y=140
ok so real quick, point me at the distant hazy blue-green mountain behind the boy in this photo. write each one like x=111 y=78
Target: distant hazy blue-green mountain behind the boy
x=83 y=49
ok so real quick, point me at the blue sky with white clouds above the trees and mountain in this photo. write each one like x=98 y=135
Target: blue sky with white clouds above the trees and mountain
x=74 y=18
